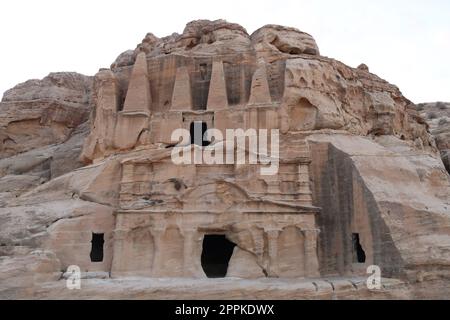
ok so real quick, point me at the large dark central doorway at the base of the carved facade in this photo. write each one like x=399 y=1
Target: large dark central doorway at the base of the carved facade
x=217 y=252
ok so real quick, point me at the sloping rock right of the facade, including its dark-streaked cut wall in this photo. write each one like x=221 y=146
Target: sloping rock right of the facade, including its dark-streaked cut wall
x=396 y=198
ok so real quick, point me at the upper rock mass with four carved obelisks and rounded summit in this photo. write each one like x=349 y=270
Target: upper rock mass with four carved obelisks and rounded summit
x=214 y=65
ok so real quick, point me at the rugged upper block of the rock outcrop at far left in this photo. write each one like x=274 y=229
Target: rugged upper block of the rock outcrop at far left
x=37 y=113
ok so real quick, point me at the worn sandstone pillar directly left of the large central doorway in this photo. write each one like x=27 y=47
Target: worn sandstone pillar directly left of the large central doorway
x=192 y=254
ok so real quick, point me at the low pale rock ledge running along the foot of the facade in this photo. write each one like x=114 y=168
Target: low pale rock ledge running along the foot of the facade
x=229 y=288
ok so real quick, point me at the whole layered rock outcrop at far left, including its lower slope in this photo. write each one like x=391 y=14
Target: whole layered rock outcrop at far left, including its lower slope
x=43 y=124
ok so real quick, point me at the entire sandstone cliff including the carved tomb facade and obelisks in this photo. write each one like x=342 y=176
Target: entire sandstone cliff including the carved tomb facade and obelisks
x=359 y=180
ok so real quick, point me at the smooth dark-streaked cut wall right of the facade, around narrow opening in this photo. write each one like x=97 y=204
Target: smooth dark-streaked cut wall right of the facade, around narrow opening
x=348 y=208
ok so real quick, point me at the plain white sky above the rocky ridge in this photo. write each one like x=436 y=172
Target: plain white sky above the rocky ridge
x=406 y=42
